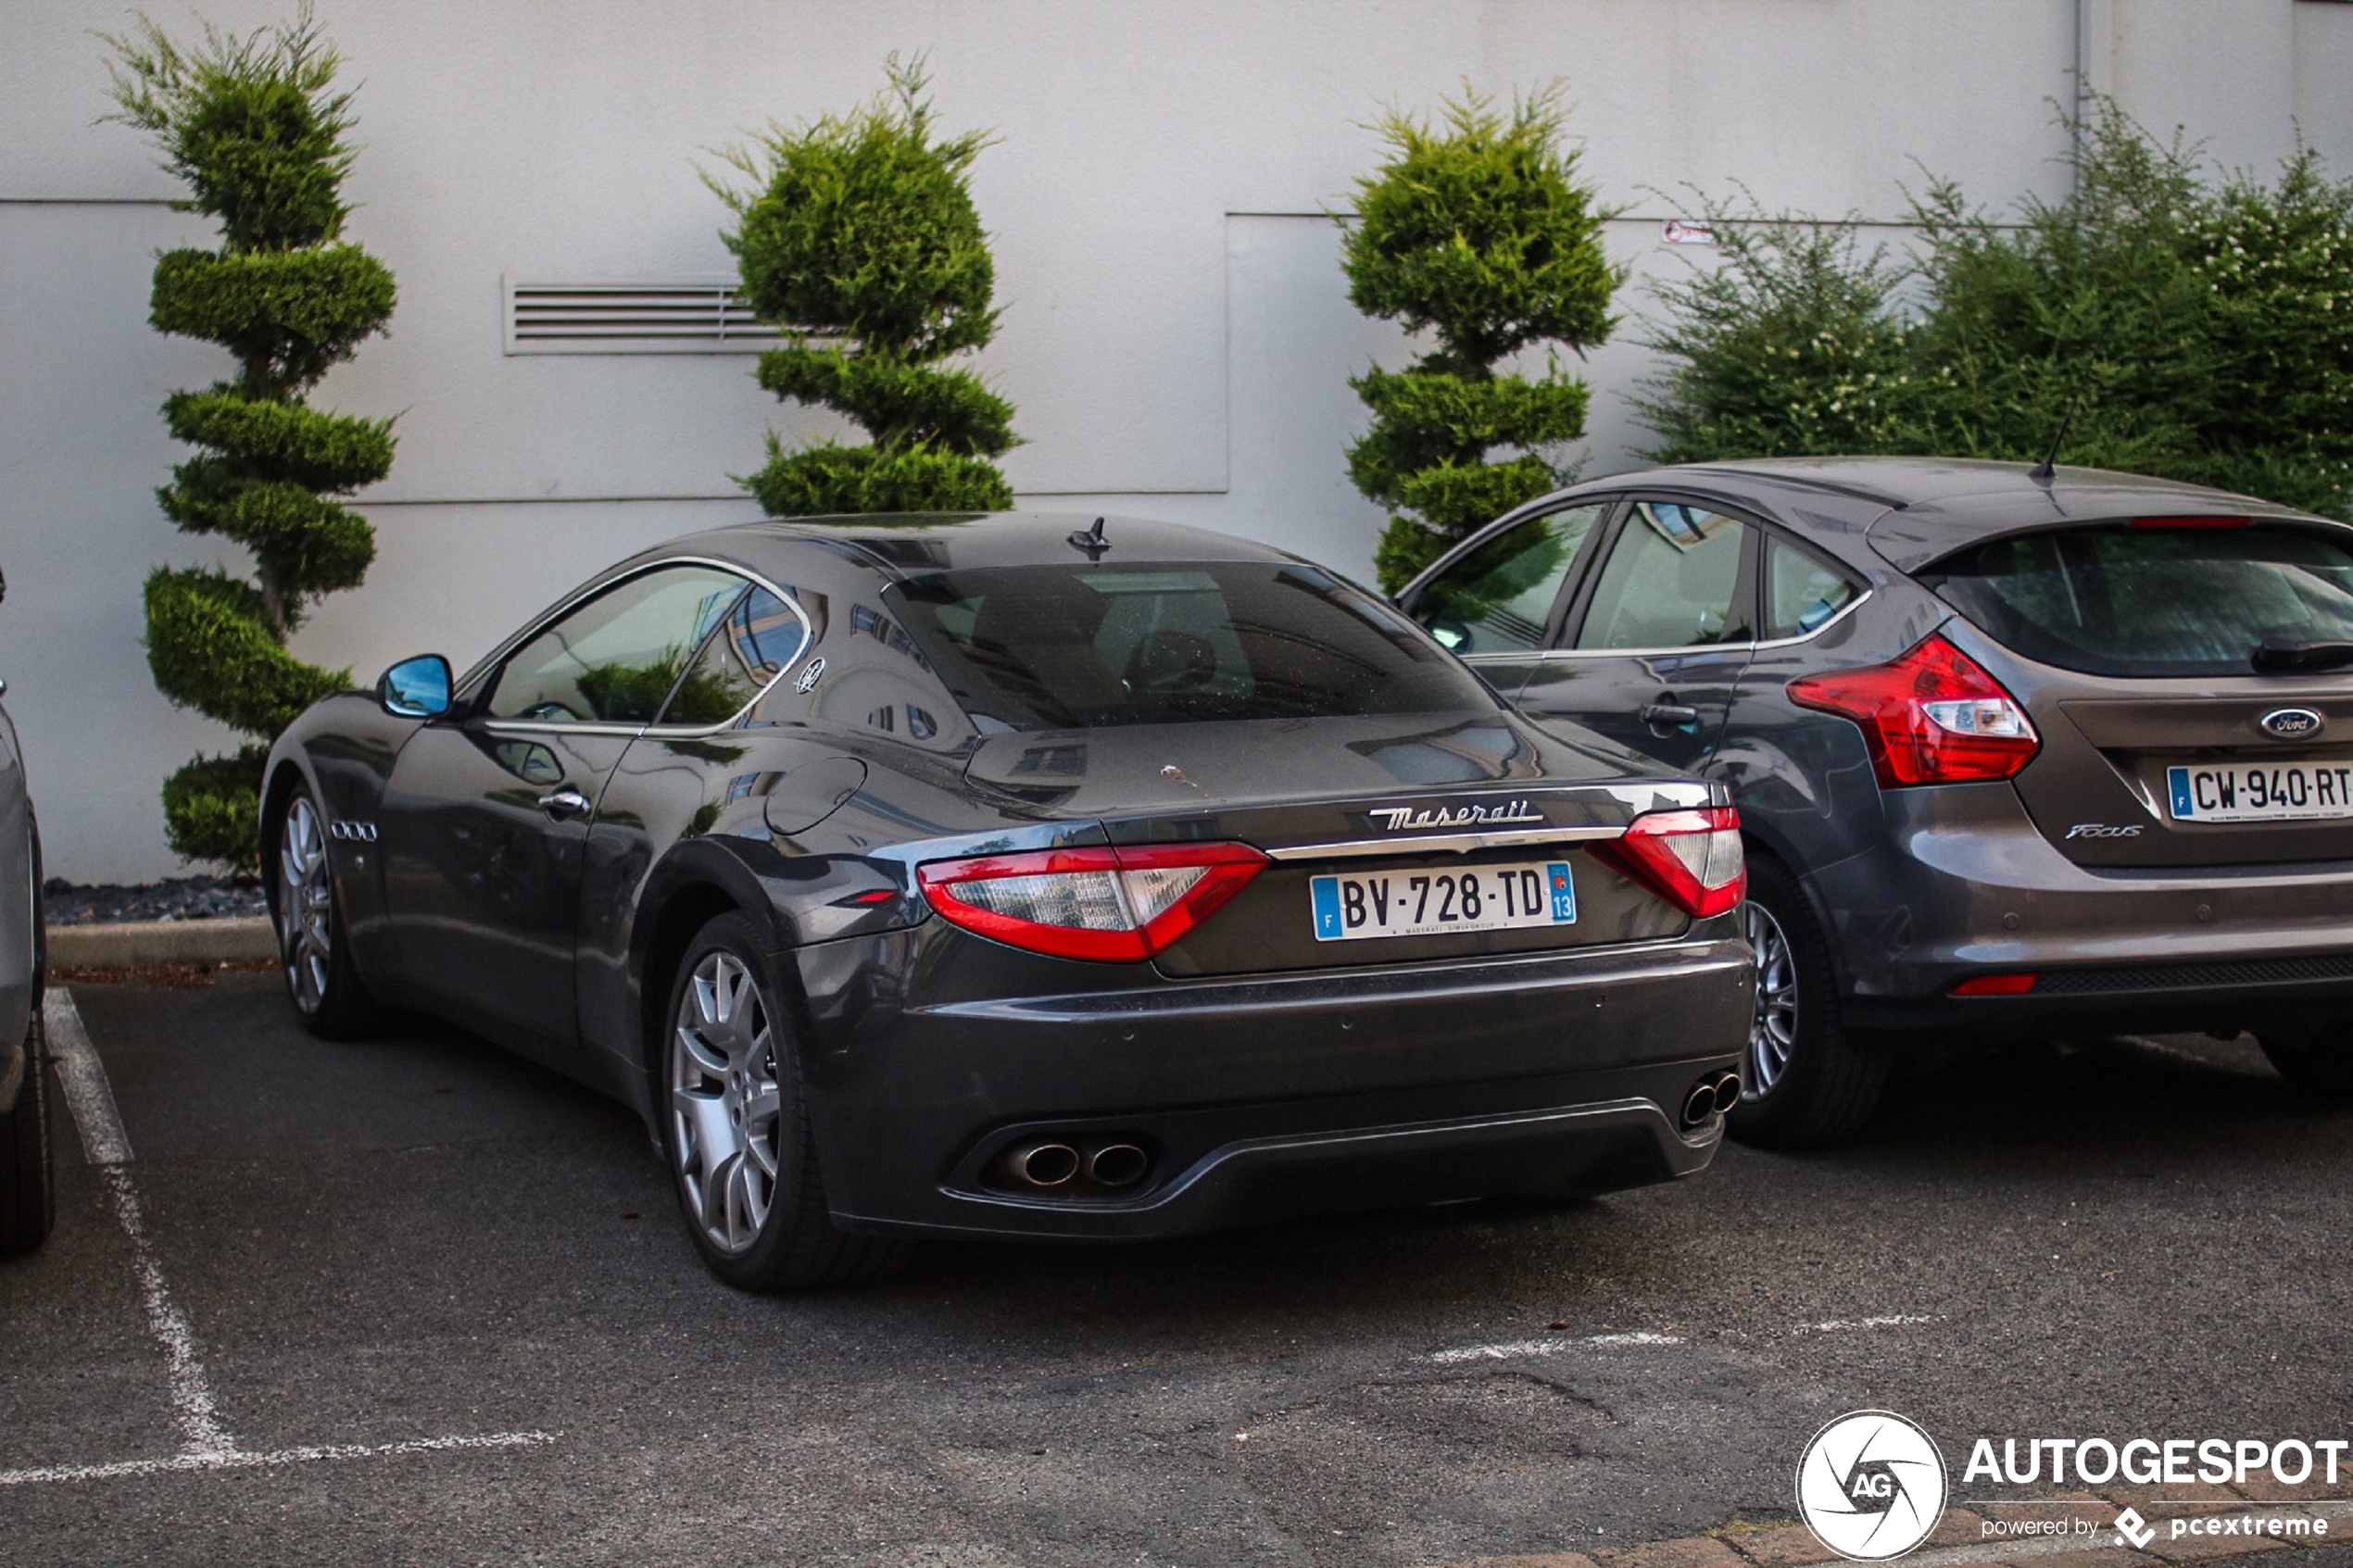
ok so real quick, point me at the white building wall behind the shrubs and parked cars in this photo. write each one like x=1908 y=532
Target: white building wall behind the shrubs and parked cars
x=1178 y=335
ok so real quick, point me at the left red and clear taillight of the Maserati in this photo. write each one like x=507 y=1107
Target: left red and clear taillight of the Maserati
x=1119 y=906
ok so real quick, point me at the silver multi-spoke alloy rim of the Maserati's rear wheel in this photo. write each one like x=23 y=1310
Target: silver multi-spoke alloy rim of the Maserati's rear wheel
x=726 y=1111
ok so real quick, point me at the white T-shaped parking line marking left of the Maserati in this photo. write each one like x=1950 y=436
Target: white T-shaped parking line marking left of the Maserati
x=206 y=1445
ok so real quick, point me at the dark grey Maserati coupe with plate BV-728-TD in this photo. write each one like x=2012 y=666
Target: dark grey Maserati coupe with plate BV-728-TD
x=1029 y=878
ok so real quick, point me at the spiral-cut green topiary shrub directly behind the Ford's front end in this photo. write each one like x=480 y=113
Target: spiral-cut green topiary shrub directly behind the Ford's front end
x=1481 y=234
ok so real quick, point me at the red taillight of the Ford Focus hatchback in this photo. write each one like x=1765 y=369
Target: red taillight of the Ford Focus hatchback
x=1928 y=718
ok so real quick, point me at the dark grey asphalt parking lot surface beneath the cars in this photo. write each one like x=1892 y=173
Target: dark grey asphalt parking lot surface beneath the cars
x=415 y=1301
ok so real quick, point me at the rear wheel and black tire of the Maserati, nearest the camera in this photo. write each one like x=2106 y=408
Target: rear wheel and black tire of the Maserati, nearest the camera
x=731 y=1094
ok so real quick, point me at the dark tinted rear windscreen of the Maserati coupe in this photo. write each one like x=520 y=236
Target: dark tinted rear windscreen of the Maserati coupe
x=1100 y=645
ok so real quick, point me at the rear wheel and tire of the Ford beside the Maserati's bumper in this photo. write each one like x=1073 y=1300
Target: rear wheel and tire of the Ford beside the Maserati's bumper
x=1806 y=1083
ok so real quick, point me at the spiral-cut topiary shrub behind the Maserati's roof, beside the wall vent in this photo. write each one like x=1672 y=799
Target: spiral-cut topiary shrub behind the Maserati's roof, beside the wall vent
x=860 y=241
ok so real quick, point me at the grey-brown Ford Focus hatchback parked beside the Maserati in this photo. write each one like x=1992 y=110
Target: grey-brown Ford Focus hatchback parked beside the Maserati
x=2015 y=751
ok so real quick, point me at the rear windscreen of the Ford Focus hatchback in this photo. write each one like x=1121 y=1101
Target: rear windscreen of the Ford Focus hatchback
x=2154 y=601
